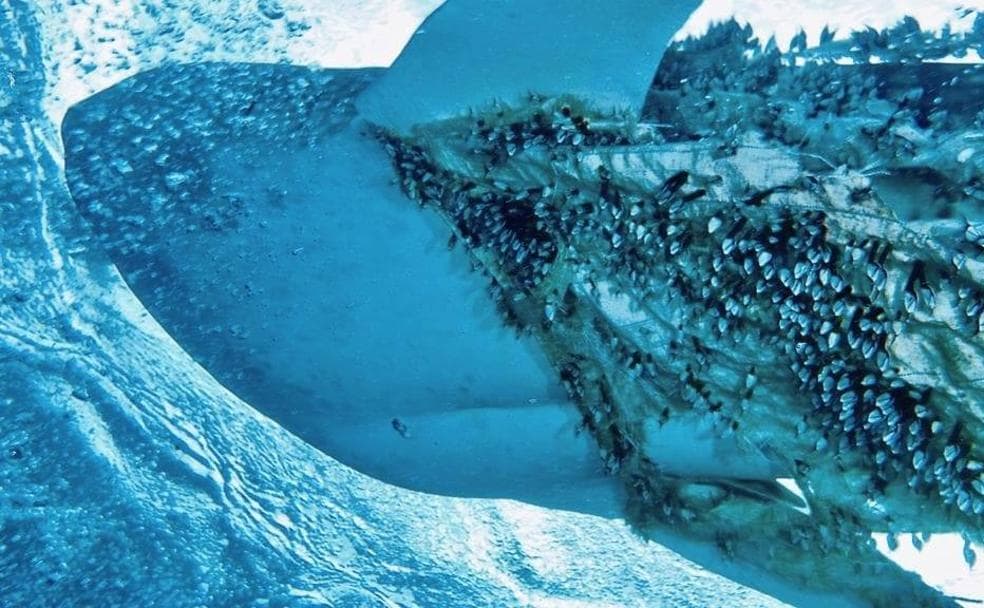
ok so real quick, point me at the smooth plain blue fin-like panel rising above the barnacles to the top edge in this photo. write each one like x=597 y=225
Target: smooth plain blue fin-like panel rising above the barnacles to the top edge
x=468 y=53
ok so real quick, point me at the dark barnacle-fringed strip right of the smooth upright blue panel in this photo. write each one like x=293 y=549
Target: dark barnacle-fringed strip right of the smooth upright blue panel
x=885 y=111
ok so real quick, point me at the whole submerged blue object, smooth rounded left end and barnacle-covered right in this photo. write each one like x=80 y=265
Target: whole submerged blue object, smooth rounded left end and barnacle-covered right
x=533 y=272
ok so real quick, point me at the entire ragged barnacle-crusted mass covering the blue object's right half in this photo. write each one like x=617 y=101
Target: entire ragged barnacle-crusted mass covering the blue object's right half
x=687 y=269
